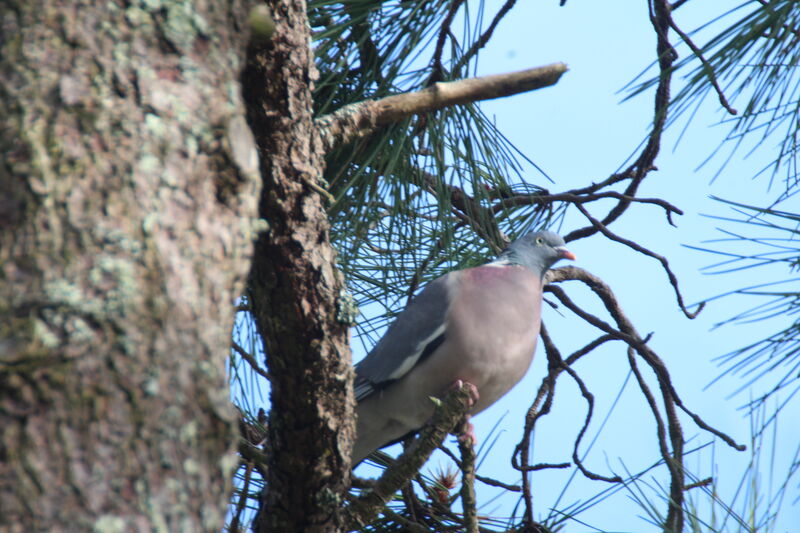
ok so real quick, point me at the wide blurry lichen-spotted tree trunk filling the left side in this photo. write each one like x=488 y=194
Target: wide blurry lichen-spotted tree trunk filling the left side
x=129 y=181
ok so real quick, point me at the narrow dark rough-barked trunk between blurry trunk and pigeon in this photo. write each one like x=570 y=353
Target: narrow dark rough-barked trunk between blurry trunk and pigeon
x=295 y=290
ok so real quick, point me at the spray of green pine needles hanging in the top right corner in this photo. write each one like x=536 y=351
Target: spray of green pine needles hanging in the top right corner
x=750 y=67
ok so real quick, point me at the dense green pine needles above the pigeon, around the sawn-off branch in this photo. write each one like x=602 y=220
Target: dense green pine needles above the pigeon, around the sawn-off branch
x=396 y=222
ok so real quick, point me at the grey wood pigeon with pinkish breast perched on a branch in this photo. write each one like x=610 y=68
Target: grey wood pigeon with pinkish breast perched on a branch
x=477 y=325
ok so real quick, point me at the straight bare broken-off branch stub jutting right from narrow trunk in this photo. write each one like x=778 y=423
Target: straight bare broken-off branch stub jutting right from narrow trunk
x=363 y=118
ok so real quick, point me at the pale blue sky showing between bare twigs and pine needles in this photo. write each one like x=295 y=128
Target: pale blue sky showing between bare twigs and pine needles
x=580 y=131
